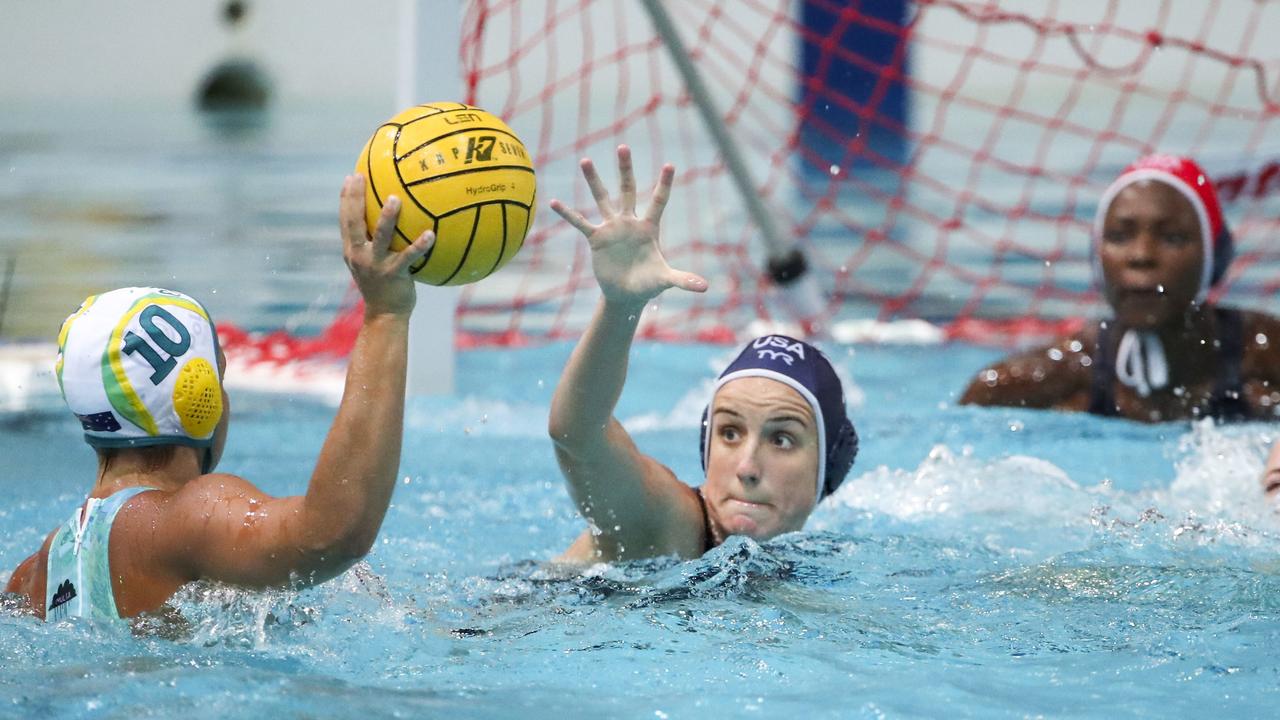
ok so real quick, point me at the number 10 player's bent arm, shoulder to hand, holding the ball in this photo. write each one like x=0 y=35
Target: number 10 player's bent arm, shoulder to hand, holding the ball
x=221 y=527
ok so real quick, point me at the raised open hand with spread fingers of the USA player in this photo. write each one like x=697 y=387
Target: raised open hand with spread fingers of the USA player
x=627 y=257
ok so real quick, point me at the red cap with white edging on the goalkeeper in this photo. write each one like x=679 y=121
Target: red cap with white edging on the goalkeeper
x=1185 y=176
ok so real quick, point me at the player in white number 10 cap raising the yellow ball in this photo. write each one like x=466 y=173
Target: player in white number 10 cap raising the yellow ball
x=138 y=368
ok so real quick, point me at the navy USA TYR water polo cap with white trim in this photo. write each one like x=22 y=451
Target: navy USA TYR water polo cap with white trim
x=807 y=371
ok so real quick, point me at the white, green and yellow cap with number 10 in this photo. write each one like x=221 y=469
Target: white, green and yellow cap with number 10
x=139 y=367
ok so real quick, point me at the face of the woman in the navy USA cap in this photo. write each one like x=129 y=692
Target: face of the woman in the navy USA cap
x=762 y=467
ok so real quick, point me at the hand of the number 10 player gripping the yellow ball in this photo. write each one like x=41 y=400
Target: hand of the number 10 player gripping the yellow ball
x=381 y=274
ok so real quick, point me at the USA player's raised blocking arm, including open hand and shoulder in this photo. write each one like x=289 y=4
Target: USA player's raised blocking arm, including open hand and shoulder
x=638 y=505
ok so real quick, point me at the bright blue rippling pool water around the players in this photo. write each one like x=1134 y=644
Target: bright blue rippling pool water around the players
x=977 y=563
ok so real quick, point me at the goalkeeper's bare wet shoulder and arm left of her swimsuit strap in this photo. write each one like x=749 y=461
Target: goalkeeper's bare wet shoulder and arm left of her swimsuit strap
x=1053 y=377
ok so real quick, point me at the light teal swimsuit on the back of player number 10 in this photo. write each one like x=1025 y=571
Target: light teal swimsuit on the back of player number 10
x=80 y=571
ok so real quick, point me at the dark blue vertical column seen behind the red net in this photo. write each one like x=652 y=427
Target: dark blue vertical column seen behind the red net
x=853 y=99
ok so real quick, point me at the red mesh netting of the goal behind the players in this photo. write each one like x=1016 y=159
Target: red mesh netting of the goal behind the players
x=939 y=163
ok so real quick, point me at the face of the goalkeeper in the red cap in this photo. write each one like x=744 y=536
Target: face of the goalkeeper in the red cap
x=1151 y=254
